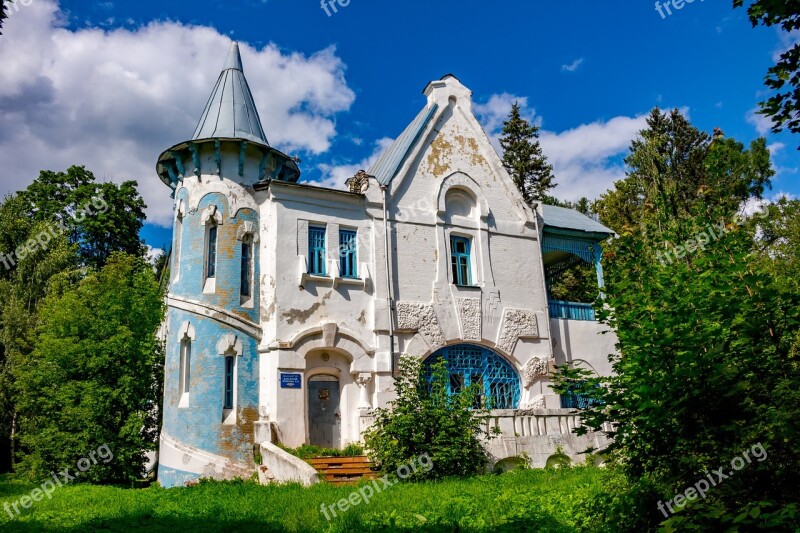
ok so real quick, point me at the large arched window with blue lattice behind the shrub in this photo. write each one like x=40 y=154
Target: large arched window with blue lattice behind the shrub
x=468 y=364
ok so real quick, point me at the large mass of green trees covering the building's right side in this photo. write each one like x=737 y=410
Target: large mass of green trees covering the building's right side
x=708 y=339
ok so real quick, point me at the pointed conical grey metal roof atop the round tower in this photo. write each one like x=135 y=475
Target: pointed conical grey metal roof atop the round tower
x=231 y=112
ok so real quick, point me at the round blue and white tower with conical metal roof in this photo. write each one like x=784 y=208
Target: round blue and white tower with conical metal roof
x=211 y=374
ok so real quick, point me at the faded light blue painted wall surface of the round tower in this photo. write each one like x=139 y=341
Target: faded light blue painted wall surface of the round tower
x=200 y=424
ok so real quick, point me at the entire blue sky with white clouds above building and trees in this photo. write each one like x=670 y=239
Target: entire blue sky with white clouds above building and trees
x=335 y=89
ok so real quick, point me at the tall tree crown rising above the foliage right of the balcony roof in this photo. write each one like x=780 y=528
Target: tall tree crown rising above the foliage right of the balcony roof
x=673 y=165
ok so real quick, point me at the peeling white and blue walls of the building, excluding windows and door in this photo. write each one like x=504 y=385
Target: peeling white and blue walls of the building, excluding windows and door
x=336 y=327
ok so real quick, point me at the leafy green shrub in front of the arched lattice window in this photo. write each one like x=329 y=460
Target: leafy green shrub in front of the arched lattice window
x=425 y=419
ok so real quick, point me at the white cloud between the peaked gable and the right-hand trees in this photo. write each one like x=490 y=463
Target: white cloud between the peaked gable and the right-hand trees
x=586 y=159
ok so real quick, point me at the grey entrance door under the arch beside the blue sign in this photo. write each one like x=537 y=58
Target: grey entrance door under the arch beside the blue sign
x=324 y=417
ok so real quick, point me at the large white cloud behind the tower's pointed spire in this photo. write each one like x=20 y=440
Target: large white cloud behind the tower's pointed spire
x=113 y=100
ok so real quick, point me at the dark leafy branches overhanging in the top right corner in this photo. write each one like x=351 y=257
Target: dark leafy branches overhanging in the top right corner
x=783 y=79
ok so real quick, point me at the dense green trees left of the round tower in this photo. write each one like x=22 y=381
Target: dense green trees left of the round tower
x=79 y=367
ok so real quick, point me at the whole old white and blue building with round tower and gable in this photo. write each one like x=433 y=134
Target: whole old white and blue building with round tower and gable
x=290 y=304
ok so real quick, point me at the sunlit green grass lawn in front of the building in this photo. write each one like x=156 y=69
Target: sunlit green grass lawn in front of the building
x=529 y=500
